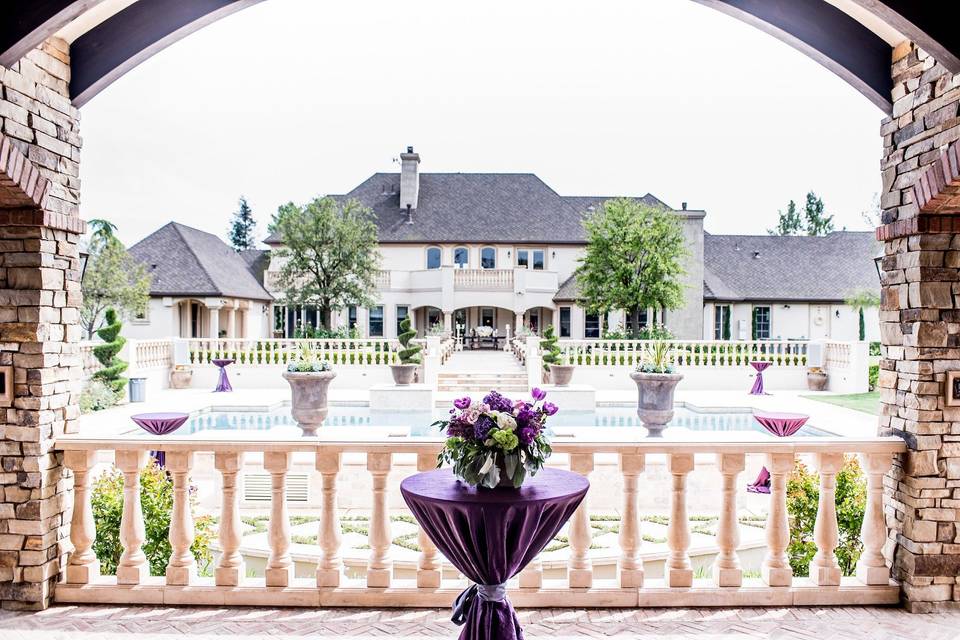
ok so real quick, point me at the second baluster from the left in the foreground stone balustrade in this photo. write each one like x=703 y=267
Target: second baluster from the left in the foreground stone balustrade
x=132 y=567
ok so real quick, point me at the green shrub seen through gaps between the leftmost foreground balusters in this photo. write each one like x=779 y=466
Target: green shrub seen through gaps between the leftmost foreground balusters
x=156 y=497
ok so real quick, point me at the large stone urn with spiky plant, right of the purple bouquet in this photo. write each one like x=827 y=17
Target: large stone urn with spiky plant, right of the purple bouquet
x=656 y=382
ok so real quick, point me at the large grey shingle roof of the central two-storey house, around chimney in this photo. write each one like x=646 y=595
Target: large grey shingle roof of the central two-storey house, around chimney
x=475 y=207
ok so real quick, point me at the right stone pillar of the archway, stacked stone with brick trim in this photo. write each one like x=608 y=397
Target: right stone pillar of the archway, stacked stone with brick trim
x=920 y=326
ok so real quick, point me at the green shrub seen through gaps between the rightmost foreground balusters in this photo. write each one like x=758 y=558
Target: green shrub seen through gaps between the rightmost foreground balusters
x=803 y=493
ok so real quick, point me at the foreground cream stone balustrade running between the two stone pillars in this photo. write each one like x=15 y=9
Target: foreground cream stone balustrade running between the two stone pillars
x=379 y=587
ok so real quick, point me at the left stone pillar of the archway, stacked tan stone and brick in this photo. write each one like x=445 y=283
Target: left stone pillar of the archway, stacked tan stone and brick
x=39 y=314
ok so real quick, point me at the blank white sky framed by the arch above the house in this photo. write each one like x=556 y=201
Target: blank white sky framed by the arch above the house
x=291 y=98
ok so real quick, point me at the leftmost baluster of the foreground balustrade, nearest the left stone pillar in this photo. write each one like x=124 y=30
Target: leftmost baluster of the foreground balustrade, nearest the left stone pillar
x=83 y=566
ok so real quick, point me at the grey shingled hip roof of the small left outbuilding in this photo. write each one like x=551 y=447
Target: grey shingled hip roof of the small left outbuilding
x=184 y=261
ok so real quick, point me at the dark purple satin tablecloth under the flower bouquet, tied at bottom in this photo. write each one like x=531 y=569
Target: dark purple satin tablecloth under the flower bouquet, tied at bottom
x=490 y=535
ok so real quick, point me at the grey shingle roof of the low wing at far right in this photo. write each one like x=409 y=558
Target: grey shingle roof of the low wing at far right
x=827 y=268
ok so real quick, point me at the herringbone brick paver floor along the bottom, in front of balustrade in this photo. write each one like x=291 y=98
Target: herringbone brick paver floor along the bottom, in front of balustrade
x=149 y=623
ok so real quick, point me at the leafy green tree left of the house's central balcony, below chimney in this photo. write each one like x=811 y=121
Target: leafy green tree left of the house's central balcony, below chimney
x=330 y=254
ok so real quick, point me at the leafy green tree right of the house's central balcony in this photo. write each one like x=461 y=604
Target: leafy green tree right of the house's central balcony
x=634 y=259
